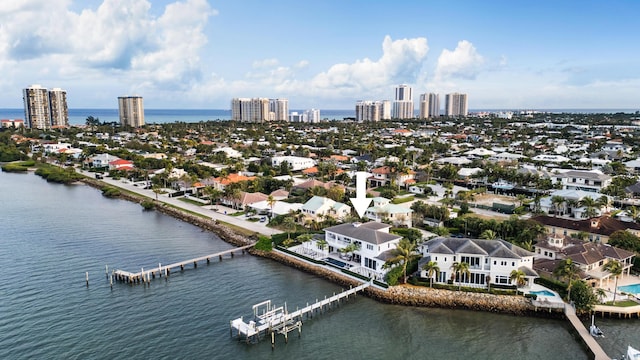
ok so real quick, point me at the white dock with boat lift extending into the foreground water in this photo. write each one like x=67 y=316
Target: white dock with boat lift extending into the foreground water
x=271 y=320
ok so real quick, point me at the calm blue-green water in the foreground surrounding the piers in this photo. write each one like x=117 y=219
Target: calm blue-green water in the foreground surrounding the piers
x=51 y=234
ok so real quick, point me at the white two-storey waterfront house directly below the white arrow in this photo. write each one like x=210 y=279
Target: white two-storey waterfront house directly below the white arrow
x=372 y=241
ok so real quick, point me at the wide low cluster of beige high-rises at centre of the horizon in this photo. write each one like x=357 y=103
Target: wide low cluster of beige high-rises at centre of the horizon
x=259 y=109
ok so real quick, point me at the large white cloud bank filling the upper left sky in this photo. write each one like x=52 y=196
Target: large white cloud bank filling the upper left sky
x=119 y=41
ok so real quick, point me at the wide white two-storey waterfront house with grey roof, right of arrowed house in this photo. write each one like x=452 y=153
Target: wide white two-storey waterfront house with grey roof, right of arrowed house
x=489 y=260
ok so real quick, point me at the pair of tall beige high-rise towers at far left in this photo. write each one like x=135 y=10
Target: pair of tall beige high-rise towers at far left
x=45 y=109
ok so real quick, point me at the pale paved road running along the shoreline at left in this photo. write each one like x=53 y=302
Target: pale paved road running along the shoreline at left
x=239 y=221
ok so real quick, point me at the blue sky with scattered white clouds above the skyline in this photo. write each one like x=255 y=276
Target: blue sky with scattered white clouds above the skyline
x=323 y=54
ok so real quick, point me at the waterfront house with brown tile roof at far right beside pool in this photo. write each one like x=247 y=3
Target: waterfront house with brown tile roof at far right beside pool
x=589 y=257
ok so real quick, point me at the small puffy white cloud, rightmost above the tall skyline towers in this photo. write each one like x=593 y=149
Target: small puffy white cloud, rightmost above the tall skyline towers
x=464 y=62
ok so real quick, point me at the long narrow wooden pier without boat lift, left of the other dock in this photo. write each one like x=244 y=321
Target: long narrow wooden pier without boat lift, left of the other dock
x=146 y=275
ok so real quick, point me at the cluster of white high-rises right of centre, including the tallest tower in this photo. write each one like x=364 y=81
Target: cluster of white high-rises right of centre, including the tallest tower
x=403 y=106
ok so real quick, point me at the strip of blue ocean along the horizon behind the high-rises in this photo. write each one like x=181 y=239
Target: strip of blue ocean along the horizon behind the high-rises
x=78 y=116
